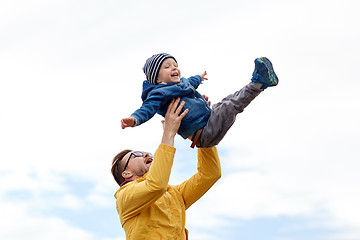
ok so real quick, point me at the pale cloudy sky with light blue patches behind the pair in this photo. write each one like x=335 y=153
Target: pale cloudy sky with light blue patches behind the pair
x=70 y=70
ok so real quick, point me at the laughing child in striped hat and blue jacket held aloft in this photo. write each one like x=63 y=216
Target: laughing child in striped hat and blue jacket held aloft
x=203 y=125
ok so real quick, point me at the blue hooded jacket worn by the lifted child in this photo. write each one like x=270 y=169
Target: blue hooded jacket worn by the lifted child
x=156 y=99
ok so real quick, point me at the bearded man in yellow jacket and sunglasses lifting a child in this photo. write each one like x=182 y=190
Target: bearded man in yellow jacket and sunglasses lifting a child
x=148 y=207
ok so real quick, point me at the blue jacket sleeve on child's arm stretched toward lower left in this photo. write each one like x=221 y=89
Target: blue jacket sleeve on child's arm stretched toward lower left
x=149 y=107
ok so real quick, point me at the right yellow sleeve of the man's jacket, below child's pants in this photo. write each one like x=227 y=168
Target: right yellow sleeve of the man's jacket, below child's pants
x=209 y=171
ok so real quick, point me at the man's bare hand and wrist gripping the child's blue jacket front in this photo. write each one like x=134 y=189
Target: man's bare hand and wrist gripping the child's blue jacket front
x=172 y=121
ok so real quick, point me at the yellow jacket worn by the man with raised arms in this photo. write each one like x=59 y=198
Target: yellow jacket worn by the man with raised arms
x=149 y=208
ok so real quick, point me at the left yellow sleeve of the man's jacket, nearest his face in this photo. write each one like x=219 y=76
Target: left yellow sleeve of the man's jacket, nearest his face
x=134 y=197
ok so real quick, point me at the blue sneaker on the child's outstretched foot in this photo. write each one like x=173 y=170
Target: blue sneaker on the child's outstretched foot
x=264 y=73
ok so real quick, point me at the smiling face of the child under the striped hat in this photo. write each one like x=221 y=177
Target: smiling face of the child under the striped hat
x=169 y=72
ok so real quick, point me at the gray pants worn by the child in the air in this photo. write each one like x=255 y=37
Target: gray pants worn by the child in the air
x=224 y=113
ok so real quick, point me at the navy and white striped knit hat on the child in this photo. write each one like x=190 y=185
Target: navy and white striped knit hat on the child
x=152 y=66
